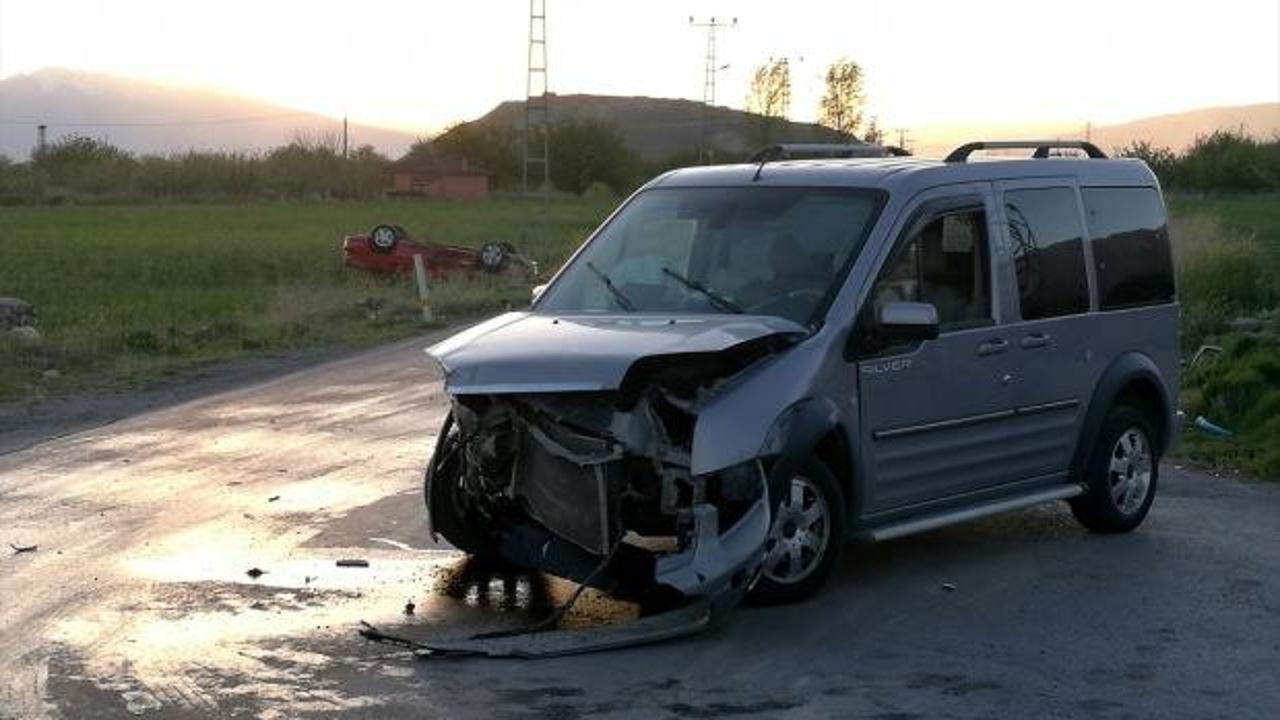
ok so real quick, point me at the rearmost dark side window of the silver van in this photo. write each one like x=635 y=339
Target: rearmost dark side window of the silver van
x=1131 y=247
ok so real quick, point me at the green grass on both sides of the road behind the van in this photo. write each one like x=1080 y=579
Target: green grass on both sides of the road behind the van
x=131 y=294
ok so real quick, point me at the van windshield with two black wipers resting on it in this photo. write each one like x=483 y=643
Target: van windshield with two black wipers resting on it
x=758 y=250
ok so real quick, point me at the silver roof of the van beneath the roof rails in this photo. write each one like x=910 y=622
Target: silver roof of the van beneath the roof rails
x=909 y=175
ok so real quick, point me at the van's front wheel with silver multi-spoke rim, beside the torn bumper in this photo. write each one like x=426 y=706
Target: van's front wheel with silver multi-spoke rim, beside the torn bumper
x=806 y=536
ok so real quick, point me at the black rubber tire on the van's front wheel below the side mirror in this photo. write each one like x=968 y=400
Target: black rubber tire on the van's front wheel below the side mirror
x=772 y=589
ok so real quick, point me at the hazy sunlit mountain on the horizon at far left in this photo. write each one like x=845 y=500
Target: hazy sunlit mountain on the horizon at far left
x=144 y=117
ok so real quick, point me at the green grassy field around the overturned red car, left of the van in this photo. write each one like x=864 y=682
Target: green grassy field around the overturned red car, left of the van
x=130 y=294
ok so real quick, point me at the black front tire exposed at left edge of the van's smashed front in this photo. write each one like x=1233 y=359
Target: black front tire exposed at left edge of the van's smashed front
x=451 y=514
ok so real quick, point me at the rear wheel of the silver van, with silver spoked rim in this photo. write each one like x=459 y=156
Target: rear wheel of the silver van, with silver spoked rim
x=1113 y=470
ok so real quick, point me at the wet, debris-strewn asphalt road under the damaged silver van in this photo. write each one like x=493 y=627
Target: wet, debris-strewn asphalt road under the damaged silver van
x=138 y=601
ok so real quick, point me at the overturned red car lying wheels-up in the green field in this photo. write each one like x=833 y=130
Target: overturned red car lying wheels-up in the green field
x=390 y=249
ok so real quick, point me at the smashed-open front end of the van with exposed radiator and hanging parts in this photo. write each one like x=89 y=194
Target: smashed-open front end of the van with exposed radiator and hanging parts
x=597 y=486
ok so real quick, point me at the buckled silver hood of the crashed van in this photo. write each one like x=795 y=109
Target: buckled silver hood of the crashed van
x=529 y=353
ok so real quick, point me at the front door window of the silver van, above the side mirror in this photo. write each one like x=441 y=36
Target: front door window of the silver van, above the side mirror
x=943 y=263
